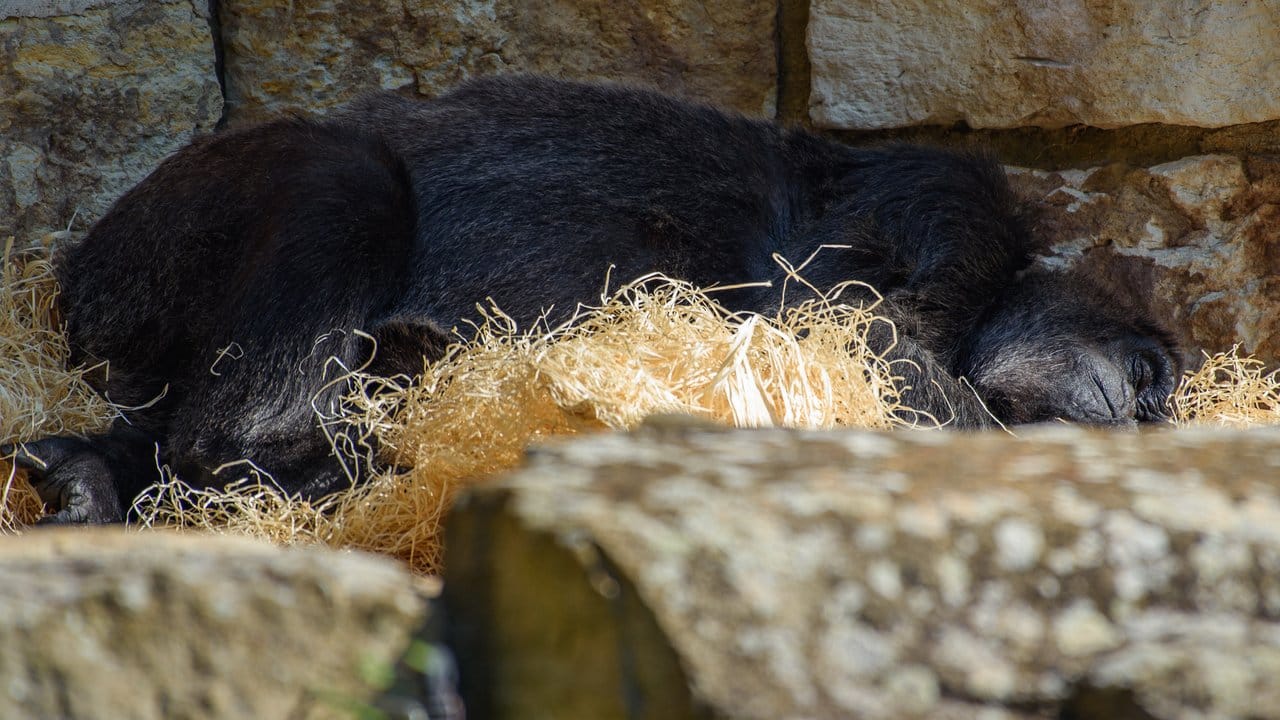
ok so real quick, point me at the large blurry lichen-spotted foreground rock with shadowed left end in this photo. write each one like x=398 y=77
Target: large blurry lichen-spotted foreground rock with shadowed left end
x=1062 y=575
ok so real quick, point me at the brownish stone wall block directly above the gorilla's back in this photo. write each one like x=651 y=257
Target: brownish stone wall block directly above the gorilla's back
x=314 y=56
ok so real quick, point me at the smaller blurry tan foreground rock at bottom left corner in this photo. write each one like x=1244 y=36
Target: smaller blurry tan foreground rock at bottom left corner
x=152 y=626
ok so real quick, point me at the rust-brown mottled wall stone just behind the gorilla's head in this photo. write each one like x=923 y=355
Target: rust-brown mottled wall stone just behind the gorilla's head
x=1209 y=226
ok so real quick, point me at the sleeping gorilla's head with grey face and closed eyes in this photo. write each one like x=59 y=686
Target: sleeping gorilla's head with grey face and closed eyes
x=1059 y=348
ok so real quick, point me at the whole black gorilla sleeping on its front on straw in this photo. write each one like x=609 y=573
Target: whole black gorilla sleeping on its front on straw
x=209 y=284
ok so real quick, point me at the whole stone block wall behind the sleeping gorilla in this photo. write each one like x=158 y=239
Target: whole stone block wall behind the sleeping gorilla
x=95 y=93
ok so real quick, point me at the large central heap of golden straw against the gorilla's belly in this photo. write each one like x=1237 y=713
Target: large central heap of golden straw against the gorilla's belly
x=655 y=347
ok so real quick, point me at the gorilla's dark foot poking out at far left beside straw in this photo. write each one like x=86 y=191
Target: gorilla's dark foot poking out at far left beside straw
x=72 y=476
